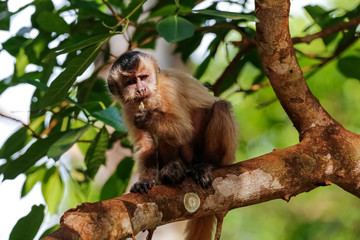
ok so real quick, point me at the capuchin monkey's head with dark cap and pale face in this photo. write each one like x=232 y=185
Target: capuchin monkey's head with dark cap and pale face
x=132 y=77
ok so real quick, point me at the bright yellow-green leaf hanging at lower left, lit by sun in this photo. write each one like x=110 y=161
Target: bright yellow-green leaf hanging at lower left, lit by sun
x=52 y=188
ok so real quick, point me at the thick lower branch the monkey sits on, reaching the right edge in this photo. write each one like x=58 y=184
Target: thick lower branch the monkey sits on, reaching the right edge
x=331 y=155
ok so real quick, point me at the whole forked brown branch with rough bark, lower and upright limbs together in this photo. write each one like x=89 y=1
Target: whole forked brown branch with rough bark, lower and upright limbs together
x=327 y=153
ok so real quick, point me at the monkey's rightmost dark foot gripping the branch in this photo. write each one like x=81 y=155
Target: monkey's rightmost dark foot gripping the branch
x=201 y=173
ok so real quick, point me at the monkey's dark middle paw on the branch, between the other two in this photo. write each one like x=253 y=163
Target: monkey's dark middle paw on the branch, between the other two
x=172 y=173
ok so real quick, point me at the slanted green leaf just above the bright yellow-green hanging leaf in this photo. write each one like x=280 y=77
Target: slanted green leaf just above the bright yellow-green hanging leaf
x=65 y=142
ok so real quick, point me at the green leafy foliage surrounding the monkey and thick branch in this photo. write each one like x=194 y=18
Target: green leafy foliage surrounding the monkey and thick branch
x=66 y=111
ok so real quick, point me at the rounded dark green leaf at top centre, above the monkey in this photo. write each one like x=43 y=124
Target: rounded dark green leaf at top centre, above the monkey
x=175 y=28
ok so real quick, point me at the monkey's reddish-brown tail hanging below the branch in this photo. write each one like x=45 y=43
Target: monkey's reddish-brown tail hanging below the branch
x=200 y=228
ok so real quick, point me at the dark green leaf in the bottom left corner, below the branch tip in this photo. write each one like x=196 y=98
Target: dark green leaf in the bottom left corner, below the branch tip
x=28 y=226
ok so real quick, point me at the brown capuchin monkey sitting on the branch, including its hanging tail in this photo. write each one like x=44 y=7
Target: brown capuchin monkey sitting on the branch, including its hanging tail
x=177 y=127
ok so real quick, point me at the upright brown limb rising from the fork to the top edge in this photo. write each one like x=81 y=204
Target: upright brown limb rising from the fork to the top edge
x=282 y=68
